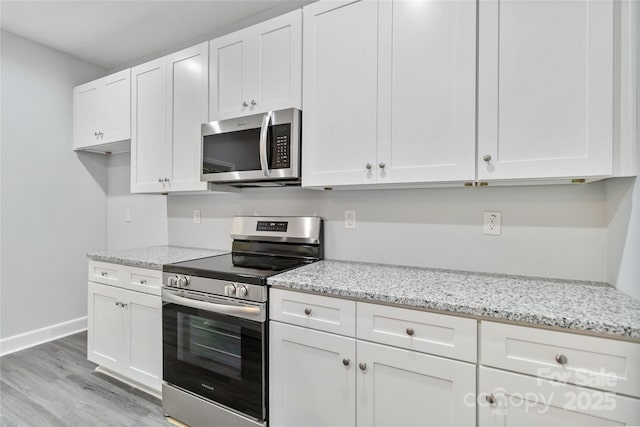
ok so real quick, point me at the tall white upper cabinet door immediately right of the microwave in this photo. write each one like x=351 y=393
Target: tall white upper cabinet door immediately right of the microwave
x=340 y=88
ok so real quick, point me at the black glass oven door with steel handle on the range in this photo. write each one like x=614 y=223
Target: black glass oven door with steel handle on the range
x=215 y=347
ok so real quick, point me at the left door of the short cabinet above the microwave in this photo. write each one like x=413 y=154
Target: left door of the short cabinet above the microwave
x=229 y=74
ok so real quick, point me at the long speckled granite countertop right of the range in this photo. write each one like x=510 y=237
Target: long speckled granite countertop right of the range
x=582 y=306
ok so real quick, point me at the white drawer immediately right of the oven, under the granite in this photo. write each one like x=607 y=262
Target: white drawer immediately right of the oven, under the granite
x=313 y=311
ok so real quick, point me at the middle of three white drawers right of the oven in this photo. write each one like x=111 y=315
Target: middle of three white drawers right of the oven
x=439 y=334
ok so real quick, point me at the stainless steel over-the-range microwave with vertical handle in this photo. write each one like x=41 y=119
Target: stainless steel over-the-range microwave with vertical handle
x=258 y=149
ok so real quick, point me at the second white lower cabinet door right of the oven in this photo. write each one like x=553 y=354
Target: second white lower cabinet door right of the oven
x=405 y=388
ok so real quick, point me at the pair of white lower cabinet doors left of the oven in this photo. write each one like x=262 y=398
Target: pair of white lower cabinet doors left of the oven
x=125 y=333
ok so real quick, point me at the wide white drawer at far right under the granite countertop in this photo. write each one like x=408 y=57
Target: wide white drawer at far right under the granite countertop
x=600 y=363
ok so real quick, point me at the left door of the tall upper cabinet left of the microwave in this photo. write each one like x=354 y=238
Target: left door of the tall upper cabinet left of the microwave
x=149 y=153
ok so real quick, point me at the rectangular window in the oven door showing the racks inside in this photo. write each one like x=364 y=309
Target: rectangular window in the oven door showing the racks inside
x=211 y=344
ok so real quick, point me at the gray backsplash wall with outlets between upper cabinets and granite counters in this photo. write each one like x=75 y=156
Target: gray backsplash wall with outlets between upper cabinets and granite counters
x=550 y=231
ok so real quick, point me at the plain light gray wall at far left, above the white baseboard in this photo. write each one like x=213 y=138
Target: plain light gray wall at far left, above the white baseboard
x=53 y=200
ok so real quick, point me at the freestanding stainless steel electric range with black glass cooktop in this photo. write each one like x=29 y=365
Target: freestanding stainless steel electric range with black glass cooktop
x=214 y=321
